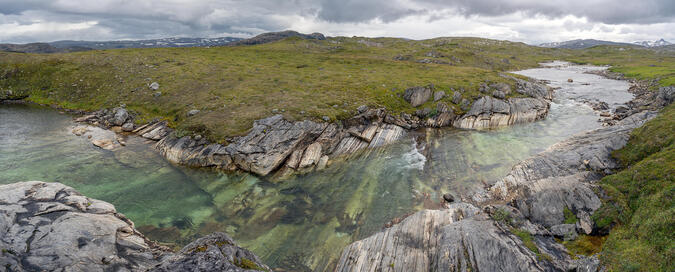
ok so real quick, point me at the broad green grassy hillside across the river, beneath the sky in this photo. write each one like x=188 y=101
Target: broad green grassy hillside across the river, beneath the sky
x=302 y=79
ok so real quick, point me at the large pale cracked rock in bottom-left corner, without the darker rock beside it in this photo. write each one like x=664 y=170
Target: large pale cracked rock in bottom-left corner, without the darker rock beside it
x=50 y=226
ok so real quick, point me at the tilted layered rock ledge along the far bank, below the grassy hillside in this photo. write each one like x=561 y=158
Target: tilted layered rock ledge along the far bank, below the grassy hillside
x=276 y=145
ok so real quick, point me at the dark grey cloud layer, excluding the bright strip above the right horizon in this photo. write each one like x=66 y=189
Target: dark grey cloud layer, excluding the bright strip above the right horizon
x=40 y=20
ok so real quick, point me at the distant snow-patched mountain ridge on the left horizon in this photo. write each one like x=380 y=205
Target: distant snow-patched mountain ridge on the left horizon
x=72 y=46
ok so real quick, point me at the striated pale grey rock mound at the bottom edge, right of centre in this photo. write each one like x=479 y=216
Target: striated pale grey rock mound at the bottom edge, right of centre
x=459 y=238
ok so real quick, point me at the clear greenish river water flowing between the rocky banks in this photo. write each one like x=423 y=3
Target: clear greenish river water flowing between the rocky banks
x=303 y=222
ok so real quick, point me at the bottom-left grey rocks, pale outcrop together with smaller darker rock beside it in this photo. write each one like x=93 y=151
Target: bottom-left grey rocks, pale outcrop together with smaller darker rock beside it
x=52 y=227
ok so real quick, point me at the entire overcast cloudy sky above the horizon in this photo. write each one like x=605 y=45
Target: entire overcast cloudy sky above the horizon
x=531 y=21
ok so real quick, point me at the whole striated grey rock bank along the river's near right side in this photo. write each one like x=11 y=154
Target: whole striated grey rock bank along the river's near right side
x=512 y=225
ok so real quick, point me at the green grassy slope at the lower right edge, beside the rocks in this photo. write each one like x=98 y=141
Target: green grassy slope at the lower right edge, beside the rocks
x=641 y=208
